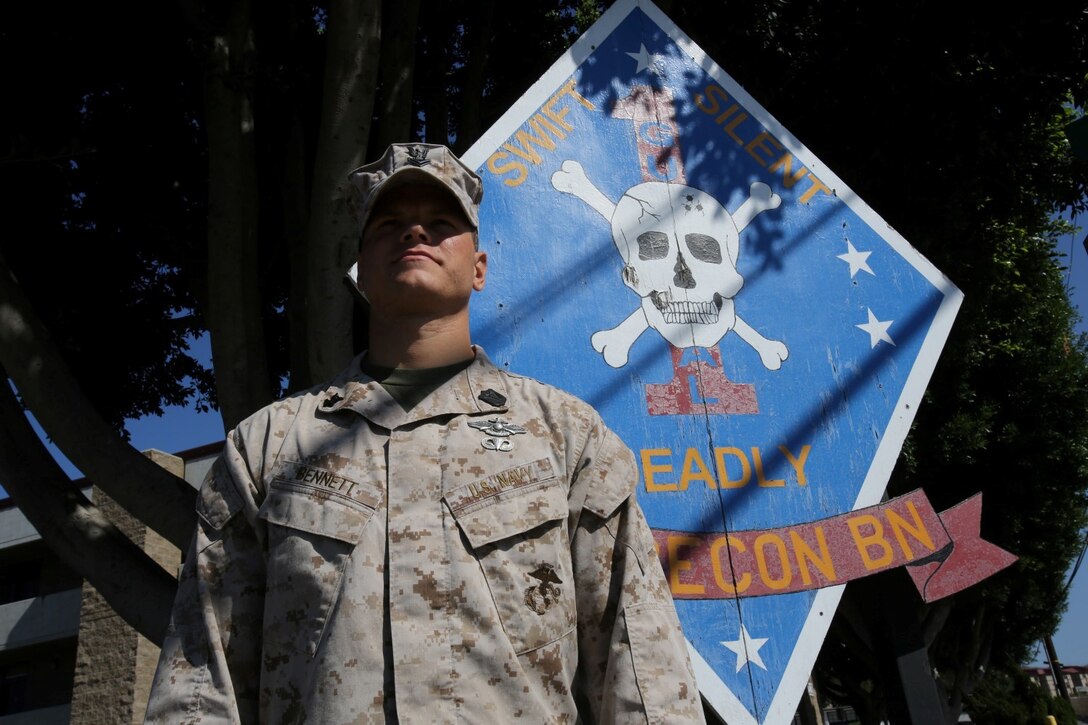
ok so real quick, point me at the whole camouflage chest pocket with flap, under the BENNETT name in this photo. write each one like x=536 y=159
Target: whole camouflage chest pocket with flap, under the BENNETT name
x=312 y=535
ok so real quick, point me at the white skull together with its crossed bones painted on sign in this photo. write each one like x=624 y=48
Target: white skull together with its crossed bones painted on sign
x=687 y=298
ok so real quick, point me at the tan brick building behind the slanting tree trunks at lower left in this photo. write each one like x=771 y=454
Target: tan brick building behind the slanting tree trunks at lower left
x=66 y=657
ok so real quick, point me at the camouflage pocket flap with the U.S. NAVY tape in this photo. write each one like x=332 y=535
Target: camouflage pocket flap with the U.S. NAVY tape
x=509 y=503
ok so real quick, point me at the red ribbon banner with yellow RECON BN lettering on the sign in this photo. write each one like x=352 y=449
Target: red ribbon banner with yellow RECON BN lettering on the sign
x=944 y=552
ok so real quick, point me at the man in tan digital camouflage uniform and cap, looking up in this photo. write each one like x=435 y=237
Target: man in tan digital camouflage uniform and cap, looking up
x=427 y=538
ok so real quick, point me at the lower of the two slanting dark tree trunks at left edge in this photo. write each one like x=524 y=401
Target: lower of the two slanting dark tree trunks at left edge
x=134 y=585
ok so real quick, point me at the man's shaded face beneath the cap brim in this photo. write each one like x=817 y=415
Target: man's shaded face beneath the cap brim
x=418 y=254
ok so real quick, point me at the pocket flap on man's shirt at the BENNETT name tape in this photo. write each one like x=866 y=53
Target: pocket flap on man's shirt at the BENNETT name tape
x=316 y=511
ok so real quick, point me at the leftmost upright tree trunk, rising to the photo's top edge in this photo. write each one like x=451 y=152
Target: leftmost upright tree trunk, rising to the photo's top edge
x=234 y=313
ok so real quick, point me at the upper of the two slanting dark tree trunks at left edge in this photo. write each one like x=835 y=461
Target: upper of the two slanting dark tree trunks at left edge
x=50 y=390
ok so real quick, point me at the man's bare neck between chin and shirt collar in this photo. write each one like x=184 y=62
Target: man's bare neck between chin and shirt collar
x=419 y=345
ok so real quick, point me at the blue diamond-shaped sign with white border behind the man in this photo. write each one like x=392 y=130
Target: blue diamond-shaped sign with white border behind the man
x=663 y=249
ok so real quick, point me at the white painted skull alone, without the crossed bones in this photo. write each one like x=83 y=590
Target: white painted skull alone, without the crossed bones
x=681 y=249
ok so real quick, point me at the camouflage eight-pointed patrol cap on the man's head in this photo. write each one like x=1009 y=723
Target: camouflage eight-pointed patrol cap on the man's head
x=409 y=164
